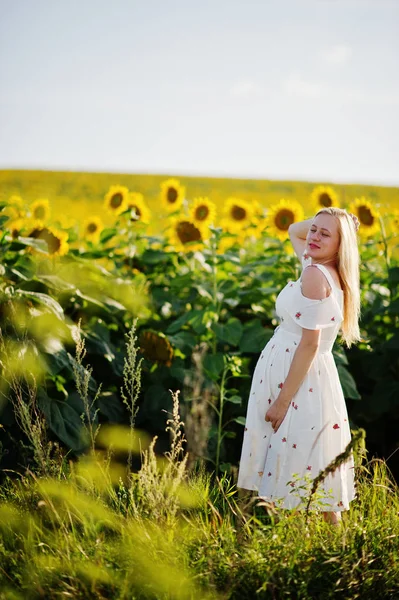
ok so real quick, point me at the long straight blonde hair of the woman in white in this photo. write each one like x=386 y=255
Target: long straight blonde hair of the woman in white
x=348 y=261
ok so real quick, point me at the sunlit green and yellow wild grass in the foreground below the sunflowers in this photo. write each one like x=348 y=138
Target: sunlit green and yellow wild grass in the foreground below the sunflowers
x=98 y=530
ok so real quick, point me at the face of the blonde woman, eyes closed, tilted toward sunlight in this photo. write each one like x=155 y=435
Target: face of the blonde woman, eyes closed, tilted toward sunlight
x=322 y=241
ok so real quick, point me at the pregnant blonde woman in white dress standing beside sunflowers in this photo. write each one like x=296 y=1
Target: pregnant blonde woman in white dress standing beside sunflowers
x=297 y=420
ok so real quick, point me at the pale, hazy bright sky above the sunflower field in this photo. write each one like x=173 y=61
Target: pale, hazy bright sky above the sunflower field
x=270 y=89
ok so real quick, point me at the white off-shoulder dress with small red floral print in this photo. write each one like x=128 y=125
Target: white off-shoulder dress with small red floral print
x=280 y=466
